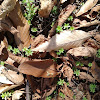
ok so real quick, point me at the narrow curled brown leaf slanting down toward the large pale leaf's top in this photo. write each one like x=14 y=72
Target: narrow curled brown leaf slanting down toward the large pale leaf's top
x=64 y=14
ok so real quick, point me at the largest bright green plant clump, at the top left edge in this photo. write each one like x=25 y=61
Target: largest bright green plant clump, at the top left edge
x=30 y=9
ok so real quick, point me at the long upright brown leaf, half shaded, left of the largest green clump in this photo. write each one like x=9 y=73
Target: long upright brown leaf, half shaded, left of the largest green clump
x=21 y=24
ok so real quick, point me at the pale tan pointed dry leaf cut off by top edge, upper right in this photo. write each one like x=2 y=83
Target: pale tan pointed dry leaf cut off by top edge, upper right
x=87 y=6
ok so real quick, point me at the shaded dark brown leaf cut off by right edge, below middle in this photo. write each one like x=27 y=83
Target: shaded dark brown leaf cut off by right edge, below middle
x=95 y=70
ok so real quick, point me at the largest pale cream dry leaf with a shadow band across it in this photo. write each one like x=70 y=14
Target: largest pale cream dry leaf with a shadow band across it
x=66 y=40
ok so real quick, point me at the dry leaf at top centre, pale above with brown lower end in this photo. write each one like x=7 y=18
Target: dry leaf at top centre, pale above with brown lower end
x=46 y=7
